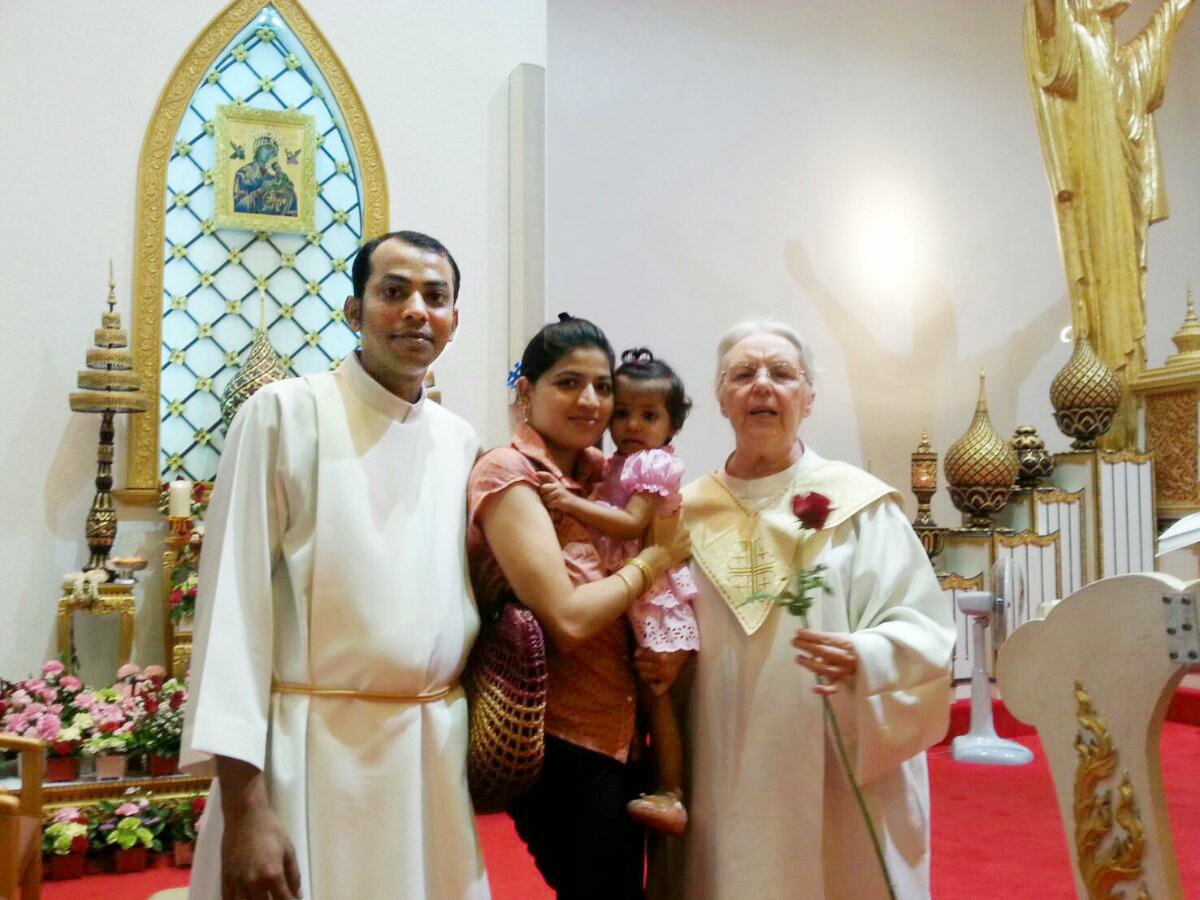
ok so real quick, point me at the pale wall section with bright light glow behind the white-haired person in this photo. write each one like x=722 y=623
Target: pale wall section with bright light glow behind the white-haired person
x=713 y=161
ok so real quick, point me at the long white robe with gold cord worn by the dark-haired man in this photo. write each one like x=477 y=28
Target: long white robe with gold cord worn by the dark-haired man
x=335 y=560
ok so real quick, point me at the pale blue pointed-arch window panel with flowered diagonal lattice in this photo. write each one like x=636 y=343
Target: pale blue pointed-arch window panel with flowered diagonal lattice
x=219 y=285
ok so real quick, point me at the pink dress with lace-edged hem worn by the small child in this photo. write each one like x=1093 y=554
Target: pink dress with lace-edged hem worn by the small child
x=663 y=617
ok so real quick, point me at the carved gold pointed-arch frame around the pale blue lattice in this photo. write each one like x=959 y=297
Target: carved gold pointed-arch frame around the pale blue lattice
x=143 y=469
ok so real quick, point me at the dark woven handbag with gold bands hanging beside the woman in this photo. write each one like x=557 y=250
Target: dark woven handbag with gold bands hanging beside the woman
x=506 y=685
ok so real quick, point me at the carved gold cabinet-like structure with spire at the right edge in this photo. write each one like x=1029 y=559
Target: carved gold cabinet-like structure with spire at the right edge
x=1171 y=400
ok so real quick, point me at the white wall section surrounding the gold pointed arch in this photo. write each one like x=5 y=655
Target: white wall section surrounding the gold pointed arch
x=79 y=83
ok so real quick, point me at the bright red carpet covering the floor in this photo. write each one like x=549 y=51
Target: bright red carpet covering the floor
x=997 y=831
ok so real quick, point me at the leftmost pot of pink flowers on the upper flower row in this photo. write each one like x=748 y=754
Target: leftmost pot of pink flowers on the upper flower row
x=49 y=709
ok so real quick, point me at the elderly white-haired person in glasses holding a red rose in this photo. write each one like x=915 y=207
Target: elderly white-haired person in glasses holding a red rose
x=772 y=813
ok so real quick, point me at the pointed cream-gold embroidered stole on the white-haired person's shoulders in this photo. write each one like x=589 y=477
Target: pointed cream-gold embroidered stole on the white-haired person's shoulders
x=743 y=553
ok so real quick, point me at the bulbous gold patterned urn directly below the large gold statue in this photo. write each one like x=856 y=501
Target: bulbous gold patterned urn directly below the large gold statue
x=1085 y=395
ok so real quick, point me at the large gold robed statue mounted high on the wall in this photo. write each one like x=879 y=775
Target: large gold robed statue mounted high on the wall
x=1094 y=100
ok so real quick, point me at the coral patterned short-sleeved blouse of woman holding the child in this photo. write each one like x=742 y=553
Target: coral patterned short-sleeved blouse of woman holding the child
x=591 y=692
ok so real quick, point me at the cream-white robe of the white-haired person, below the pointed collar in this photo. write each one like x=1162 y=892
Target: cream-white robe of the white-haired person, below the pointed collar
x=771 y=813
